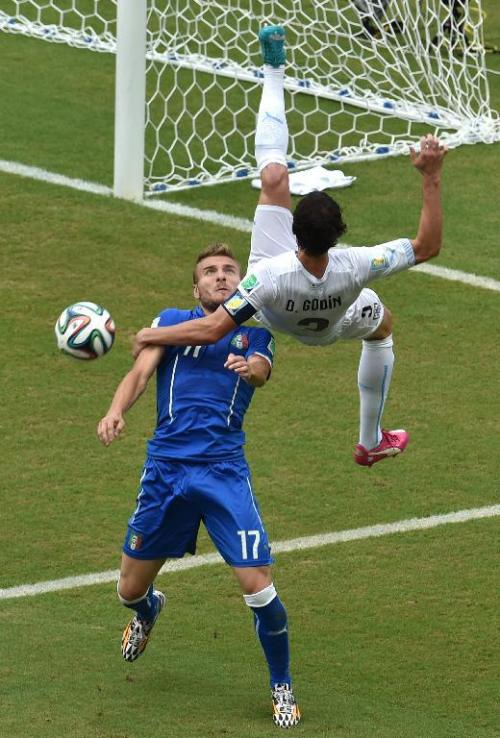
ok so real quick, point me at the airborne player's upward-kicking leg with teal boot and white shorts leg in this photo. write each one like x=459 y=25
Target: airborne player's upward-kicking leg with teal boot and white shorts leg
x=272 y=231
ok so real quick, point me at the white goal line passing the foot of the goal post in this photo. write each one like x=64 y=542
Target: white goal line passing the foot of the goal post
x=227 y=221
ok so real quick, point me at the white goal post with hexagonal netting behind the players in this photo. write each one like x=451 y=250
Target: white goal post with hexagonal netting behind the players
x=364 y=79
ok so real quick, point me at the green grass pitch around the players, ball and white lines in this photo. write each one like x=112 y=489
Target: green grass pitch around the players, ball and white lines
x=392 y=637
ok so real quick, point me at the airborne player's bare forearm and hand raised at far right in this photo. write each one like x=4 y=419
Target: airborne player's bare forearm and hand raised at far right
x=429 y=162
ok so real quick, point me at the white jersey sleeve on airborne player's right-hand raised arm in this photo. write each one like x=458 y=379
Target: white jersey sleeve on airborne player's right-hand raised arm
x=374 y=262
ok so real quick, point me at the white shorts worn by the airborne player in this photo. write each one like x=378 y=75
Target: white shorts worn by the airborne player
x=272 y=235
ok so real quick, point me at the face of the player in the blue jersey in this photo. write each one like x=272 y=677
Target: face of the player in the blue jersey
x=218 y=277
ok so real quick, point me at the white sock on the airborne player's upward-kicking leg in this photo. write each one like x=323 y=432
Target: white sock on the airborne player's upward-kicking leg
x=271 y=134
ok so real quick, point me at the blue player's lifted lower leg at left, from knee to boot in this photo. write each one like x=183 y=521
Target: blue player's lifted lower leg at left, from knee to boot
x=135 y=591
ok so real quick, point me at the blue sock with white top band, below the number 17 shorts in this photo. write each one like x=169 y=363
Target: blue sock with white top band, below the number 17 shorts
x=271 y=626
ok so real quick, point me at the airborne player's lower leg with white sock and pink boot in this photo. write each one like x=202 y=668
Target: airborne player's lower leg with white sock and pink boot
x=374 y=378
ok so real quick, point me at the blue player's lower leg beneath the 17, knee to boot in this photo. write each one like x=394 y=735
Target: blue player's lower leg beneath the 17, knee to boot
x=271 y=626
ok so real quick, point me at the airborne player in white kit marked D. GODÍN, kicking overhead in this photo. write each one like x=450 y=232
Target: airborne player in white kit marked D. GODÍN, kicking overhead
x=298 y=284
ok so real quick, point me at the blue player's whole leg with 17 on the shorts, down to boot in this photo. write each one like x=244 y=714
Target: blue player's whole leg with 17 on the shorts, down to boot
x=233 y=521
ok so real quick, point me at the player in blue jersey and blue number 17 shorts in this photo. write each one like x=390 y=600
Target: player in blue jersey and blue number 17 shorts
x=195 y=471
